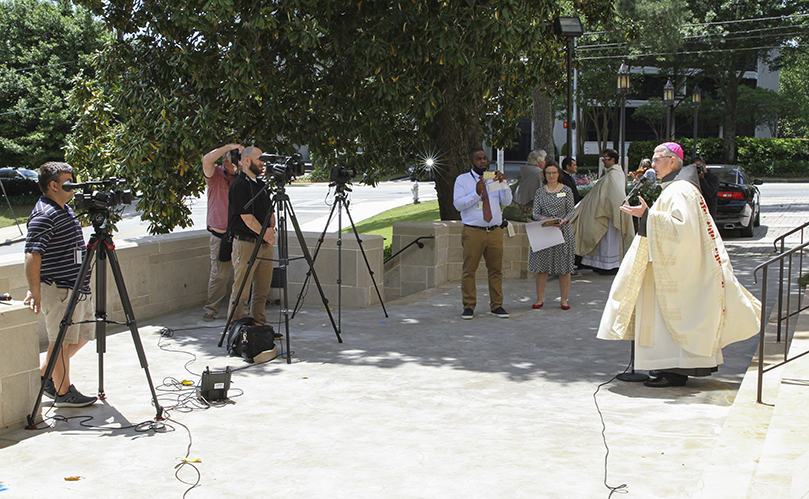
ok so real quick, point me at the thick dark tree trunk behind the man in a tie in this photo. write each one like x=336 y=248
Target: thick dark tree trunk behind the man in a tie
x=454 y=132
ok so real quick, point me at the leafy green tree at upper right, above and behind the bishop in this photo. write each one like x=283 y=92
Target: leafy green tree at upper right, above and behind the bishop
x=697 y=40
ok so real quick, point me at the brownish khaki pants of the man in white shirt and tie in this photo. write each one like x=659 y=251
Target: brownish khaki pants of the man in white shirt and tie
x=479 y=243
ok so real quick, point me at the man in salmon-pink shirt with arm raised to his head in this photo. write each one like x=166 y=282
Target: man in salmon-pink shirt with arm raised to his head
x=218 y=179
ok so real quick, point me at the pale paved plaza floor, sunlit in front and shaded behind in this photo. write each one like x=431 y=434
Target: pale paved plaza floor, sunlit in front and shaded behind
x=419 y=404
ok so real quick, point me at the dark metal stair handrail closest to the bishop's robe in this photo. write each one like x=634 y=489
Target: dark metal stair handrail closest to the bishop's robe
x=779 y=258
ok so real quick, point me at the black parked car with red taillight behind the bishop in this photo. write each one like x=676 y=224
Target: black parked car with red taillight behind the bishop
x=738 y=204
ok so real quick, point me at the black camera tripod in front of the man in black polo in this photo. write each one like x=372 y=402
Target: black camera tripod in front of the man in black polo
x=280 y=202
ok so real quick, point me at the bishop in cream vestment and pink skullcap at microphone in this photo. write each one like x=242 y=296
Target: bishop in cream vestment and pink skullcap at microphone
x=675 y=294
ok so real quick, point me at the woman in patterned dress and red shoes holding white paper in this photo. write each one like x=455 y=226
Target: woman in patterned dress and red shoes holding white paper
x=554 y=200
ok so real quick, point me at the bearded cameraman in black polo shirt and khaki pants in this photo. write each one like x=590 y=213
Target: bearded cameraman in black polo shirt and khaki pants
x=245 y=225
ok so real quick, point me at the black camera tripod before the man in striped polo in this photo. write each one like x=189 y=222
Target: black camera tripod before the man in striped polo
x=102 y=248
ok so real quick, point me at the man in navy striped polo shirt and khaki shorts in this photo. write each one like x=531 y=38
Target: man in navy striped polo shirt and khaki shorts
x=54 y=251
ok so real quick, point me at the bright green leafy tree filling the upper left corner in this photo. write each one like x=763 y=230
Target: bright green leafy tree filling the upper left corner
x=47 y=45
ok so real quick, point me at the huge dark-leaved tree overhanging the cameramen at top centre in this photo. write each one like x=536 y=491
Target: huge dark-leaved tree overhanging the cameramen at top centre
x=372 y=85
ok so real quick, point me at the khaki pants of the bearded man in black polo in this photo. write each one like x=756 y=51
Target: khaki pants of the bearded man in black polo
x=260 y=277
